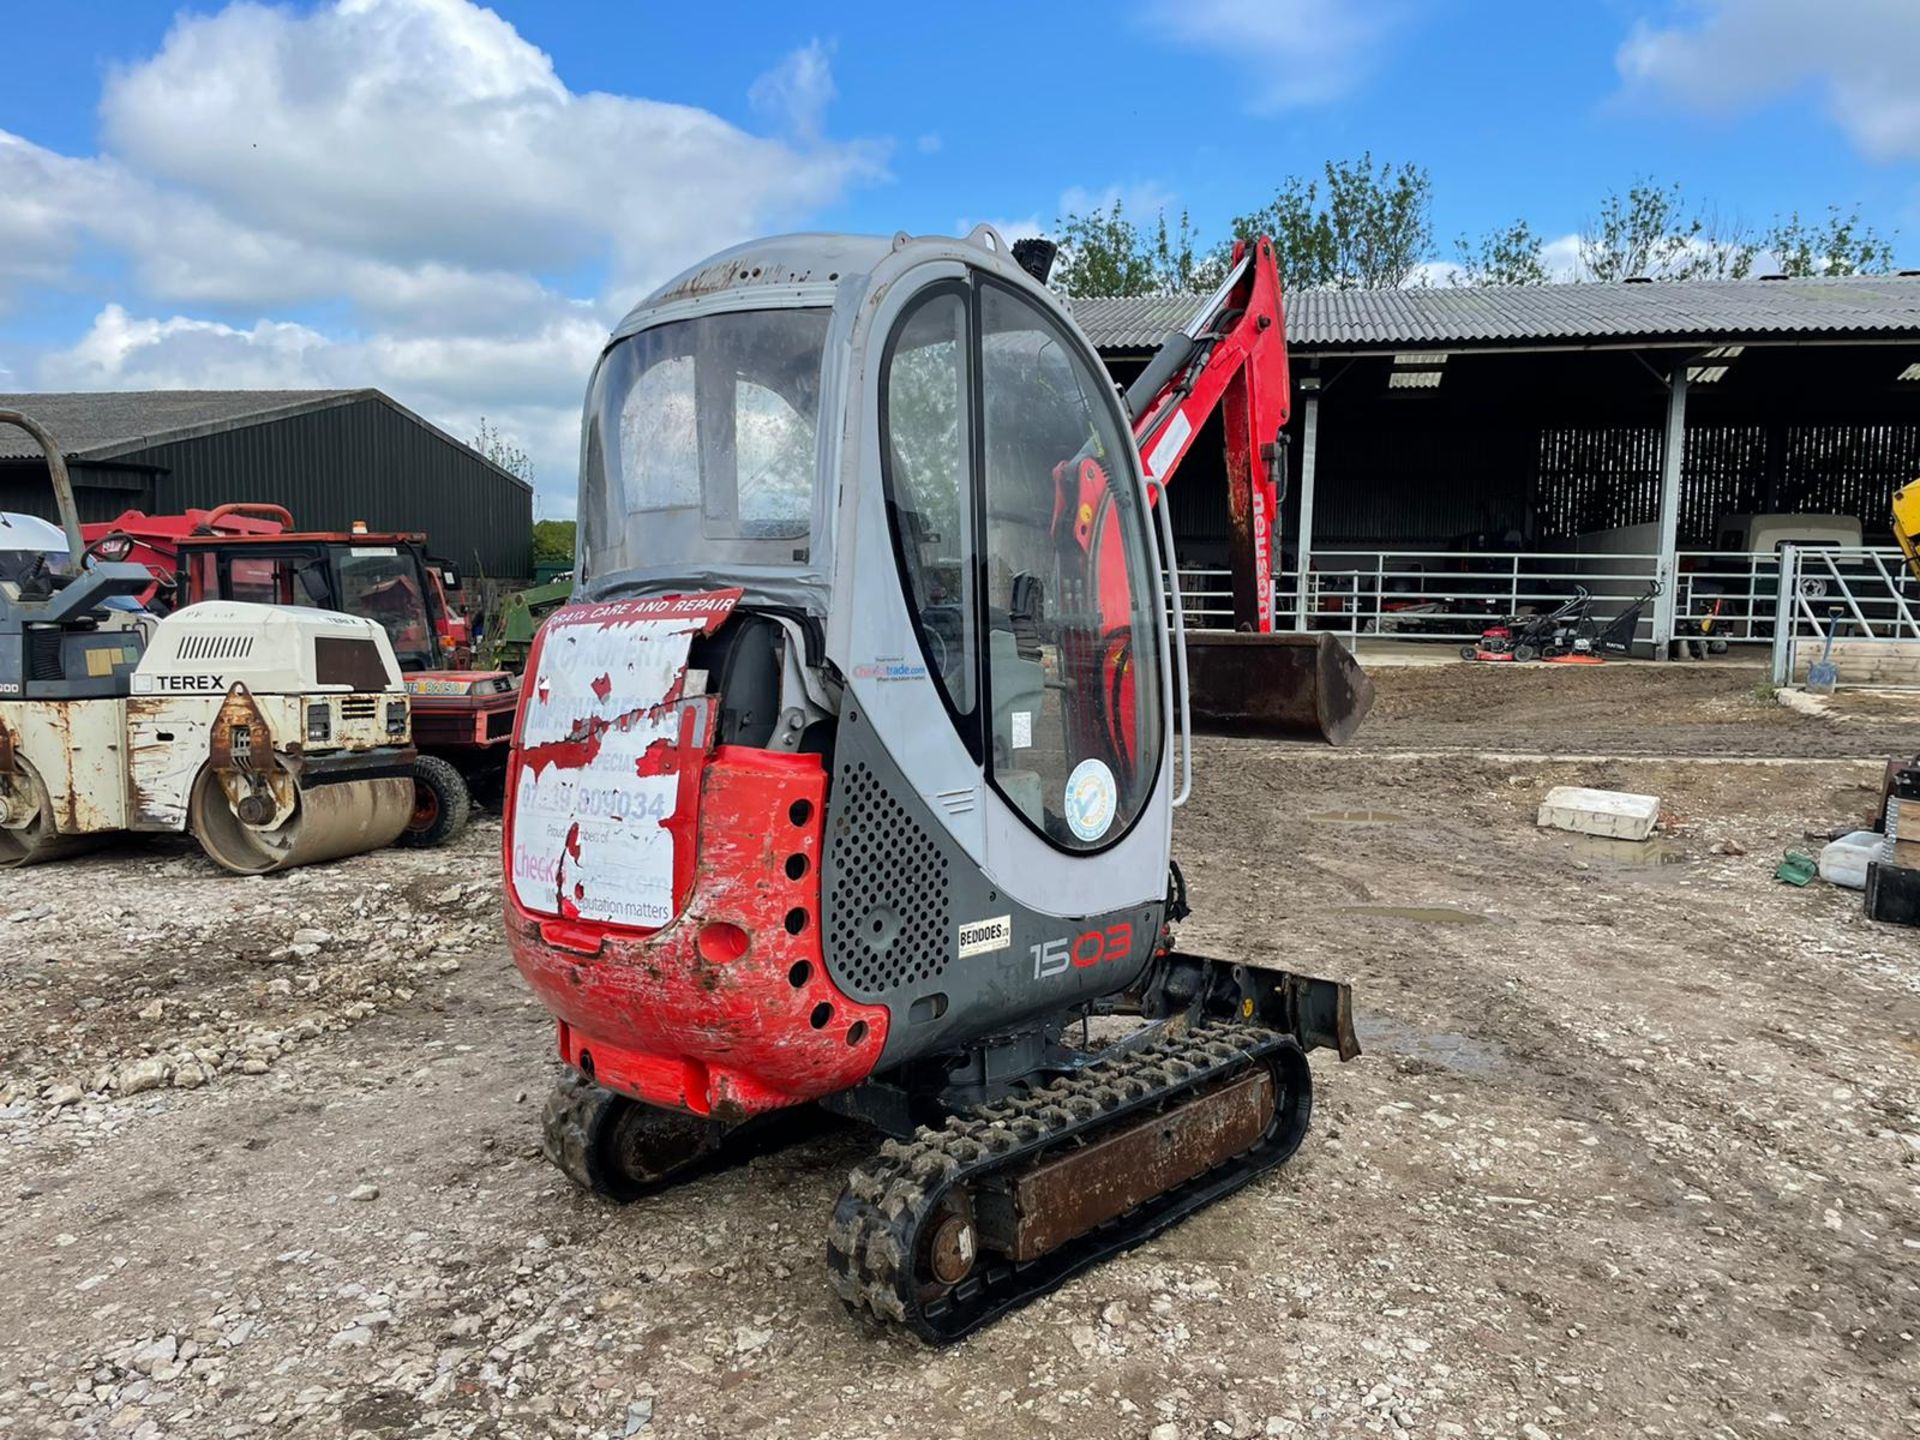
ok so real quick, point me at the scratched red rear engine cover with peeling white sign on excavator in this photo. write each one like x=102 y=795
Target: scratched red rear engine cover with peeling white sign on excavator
x=663 y=894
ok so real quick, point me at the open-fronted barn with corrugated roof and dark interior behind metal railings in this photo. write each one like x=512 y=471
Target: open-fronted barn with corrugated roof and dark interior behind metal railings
x=1529 y=420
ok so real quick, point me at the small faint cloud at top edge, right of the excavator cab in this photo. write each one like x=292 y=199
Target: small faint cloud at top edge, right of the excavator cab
x=1297 y=53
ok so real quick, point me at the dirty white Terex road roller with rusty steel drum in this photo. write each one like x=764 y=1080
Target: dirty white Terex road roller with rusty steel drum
x=279 y=736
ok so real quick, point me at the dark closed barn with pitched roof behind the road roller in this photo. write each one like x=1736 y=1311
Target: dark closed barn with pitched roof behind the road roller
x=327 y=456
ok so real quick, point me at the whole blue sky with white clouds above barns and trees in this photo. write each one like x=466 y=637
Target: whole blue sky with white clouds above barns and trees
x=454 y=204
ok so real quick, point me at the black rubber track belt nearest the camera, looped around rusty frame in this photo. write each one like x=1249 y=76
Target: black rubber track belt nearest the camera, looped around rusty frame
x=882 y=1214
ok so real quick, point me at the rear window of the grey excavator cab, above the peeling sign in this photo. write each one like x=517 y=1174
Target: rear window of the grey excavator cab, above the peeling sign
x=700 y=444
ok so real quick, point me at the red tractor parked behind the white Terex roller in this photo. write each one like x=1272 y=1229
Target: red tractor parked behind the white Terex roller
x=462 y=717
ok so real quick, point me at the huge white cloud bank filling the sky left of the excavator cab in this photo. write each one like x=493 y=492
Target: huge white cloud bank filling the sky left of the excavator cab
x=410 y=170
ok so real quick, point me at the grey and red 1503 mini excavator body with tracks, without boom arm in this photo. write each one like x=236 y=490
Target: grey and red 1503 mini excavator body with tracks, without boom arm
x=850 y=775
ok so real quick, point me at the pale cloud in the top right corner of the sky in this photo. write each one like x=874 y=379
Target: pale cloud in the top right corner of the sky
x=1861 y=57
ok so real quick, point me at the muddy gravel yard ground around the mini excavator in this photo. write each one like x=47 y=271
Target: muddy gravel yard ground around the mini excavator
x=1635 y=1151
